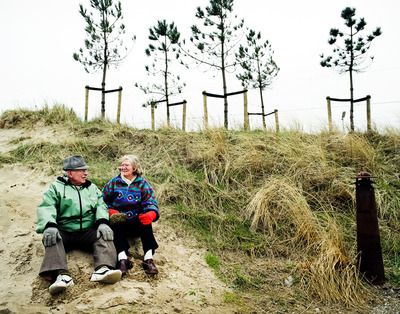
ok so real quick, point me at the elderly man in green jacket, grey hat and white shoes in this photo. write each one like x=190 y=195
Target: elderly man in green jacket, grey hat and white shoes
x=73 y=215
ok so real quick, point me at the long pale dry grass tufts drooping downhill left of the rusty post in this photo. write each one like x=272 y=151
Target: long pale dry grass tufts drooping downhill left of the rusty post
x=280 y=209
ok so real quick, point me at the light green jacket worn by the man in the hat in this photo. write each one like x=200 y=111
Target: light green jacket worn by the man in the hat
x=70 y=209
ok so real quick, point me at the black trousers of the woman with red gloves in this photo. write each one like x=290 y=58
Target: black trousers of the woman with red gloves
x=131 y=229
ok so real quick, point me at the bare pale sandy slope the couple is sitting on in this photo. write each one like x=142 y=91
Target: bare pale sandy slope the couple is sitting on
x=185 y=283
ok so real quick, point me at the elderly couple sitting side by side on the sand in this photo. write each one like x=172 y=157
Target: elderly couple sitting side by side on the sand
x=75 y=214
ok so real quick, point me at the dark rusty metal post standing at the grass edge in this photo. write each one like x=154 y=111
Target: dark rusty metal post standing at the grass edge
x=368 y=239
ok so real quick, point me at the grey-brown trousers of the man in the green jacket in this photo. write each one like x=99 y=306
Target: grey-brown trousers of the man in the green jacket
x=55 y=257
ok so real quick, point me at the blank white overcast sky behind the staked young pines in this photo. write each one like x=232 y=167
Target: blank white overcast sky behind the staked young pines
x=39 y=37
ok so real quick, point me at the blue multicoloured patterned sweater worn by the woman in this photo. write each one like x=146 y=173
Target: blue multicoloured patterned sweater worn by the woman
x=137 y=198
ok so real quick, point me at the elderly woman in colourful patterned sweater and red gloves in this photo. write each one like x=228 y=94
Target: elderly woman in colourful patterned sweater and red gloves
x=132 y=207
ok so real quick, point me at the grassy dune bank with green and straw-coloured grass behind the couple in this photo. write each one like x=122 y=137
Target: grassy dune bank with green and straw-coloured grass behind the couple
x=267 y=206
